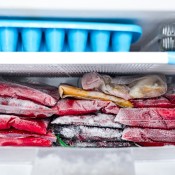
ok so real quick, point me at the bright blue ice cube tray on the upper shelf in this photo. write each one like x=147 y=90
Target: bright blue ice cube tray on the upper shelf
x=60 y=36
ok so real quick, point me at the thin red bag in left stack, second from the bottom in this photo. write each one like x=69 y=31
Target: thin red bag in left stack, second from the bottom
x=14 y=133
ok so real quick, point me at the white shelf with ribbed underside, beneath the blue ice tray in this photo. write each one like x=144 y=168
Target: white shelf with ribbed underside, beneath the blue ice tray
x=69 y=64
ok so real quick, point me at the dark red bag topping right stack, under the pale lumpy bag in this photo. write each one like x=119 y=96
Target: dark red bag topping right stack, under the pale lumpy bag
x=161 y=102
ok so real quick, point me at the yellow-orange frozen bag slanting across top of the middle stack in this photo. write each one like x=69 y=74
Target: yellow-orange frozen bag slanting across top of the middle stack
x=71 y=91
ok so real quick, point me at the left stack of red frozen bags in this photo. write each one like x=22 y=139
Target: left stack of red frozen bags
x=25 y=111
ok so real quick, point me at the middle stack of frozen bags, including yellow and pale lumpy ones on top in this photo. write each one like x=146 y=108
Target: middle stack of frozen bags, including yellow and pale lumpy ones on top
x=87 y=115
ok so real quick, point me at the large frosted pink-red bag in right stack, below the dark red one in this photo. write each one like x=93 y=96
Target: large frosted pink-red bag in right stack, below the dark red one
x=162 y=118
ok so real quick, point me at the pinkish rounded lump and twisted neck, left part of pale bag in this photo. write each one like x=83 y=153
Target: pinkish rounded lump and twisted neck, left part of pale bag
x=95 y=81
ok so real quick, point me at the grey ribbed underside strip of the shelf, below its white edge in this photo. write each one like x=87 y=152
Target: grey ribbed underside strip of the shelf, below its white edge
x=78 y=69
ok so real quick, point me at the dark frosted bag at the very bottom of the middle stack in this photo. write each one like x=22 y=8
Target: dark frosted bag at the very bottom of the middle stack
x=98 y=144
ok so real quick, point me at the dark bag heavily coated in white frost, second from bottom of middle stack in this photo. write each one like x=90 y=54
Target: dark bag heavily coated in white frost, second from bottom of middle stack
x=84 y=133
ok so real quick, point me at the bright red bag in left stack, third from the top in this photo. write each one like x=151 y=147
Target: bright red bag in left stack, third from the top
x=34 y=126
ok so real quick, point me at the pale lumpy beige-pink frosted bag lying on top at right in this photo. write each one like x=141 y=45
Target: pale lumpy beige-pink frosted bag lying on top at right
x=126 y=87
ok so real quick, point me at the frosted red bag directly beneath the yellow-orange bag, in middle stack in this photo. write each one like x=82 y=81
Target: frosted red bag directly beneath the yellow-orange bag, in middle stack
x=80 y=107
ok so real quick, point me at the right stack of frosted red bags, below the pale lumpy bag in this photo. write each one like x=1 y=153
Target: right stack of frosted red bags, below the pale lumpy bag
x=152 y=121
